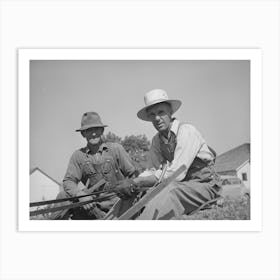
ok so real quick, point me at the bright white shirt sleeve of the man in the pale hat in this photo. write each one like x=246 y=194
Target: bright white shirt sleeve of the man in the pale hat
x=189 y=142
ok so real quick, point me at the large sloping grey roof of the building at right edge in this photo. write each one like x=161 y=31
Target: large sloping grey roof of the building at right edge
x=233 y=159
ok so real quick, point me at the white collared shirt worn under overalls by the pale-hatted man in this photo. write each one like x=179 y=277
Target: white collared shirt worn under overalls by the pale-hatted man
x=190 y=144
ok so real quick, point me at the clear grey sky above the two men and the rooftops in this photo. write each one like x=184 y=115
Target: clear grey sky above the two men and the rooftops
x=215 y=99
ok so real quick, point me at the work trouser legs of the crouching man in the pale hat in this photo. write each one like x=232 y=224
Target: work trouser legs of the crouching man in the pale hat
x=178 y=198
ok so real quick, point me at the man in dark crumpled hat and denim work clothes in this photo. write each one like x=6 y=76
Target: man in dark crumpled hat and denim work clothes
x=95 y=162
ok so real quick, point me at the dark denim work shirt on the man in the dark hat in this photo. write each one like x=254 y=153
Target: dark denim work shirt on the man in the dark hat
x=76 y=168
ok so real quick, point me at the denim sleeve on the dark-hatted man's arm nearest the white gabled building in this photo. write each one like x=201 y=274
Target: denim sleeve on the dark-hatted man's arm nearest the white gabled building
x=73 y=175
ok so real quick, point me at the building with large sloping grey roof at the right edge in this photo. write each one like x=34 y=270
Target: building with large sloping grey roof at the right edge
x=235 y=164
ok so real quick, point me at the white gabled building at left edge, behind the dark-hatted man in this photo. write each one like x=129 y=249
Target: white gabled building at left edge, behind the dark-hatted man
x=42 y=186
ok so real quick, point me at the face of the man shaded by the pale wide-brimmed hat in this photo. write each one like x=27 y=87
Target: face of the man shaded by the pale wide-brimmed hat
x=160 y=116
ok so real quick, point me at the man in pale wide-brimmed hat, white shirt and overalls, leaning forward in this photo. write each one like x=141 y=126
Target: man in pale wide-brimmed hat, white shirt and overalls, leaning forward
x=176 y=143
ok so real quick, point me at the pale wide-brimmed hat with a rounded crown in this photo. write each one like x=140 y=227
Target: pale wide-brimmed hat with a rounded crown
x=157 y=96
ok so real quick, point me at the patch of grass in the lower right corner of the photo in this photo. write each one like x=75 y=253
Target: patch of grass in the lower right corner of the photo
x=226 y=209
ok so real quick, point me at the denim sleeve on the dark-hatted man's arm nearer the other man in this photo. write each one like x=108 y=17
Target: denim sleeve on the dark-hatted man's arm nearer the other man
x=124 y=161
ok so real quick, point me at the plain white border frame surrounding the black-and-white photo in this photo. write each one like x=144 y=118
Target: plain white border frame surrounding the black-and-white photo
x=254 y=55
